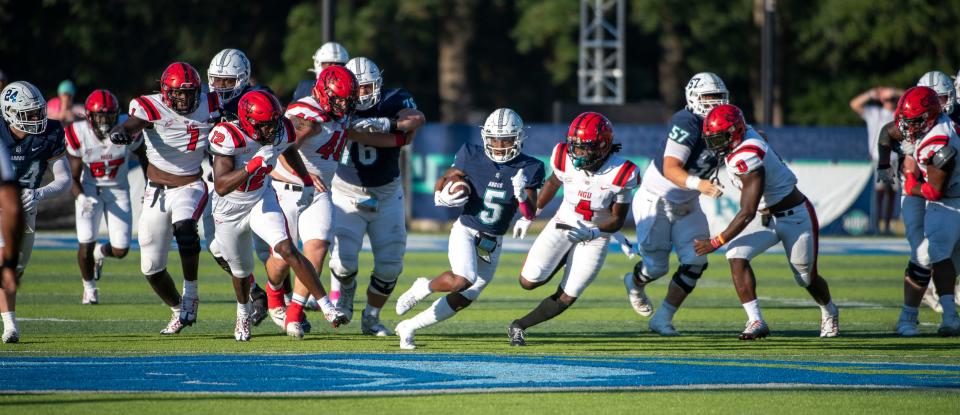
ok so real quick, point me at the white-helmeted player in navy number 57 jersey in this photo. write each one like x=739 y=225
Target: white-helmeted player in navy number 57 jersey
x=667 y=207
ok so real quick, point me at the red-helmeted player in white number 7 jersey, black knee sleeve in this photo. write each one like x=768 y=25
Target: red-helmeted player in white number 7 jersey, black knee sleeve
x=175 y=123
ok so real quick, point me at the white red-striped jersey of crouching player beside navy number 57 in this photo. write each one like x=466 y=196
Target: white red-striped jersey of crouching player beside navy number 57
x=753 y=153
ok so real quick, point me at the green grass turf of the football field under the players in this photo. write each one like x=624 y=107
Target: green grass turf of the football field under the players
x=600 y=325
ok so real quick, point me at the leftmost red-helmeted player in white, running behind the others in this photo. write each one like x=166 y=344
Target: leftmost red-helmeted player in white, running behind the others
x=99 y=172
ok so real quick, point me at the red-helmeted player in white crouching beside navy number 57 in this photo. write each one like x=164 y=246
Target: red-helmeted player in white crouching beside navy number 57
x=786 y=216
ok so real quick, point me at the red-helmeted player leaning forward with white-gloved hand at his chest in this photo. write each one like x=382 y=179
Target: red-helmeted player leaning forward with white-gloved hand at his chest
x=245 y=152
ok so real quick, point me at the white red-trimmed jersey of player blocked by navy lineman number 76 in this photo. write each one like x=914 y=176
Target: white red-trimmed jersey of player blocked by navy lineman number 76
x=320 y=152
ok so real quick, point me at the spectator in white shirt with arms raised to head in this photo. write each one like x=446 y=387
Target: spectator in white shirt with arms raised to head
x=876 y=107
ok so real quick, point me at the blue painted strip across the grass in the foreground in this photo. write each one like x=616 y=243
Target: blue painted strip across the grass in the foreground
x=363 y=374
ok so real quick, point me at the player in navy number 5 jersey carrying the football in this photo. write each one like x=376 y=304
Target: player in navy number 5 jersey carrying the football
x=501 y=182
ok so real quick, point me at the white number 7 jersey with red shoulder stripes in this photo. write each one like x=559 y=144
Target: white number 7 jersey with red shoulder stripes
x=179 y=143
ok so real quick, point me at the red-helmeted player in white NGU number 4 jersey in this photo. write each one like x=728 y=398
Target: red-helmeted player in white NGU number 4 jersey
x=598 y=188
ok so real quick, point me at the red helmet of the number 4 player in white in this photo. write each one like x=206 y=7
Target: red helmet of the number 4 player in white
x=590 y=138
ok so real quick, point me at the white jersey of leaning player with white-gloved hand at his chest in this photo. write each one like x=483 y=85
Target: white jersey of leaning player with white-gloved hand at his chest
x=226 y=139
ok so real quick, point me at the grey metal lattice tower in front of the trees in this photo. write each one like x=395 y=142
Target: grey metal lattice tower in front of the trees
x=601 y=73
